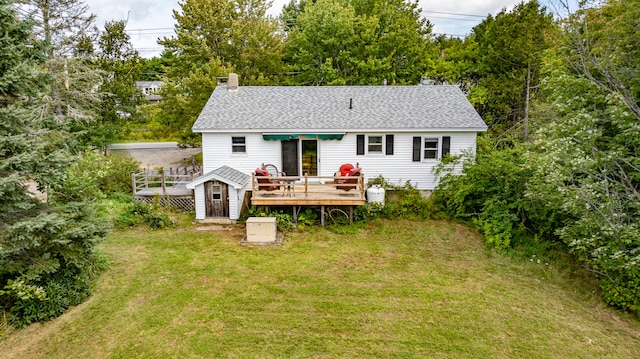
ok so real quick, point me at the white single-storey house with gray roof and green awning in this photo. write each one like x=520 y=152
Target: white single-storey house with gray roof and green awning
x=398 y=132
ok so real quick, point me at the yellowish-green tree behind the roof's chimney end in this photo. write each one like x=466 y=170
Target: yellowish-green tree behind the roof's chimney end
x=212 y=39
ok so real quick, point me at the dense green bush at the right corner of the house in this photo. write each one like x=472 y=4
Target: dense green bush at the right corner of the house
x=491 y=193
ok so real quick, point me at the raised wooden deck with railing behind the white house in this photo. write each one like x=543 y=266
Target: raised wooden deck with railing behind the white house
x=307 y=191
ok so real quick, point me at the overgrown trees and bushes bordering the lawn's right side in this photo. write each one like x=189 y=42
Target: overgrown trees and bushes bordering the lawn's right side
x=575 y=185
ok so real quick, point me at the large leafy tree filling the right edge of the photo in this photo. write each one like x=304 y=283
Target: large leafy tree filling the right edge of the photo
x=586 y=163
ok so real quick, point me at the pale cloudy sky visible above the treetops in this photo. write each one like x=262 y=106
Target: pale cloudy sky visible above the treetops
x=148 y=20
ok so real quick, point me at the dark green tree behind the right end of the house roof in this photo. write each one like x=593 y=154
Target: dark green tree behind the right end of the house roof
x=499 y=64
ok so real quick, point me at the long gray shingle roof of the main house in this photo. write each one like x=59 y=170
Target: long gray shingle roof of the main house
x=275 y=108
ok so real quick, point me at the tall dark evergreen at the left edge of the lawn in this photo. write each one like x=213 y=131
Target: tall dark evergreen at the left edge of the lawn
x=47 y=248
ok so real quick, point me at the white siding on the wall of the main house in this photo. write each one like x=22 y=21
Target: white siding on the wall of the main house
x=397 y=169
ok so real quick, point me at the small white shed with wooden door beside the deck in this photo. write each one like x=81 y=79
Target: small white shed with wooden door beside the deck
x=219 y=194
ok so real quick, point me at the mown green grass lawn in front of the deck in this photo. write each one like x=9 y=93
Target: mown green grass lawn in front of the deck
x=394 y=289
